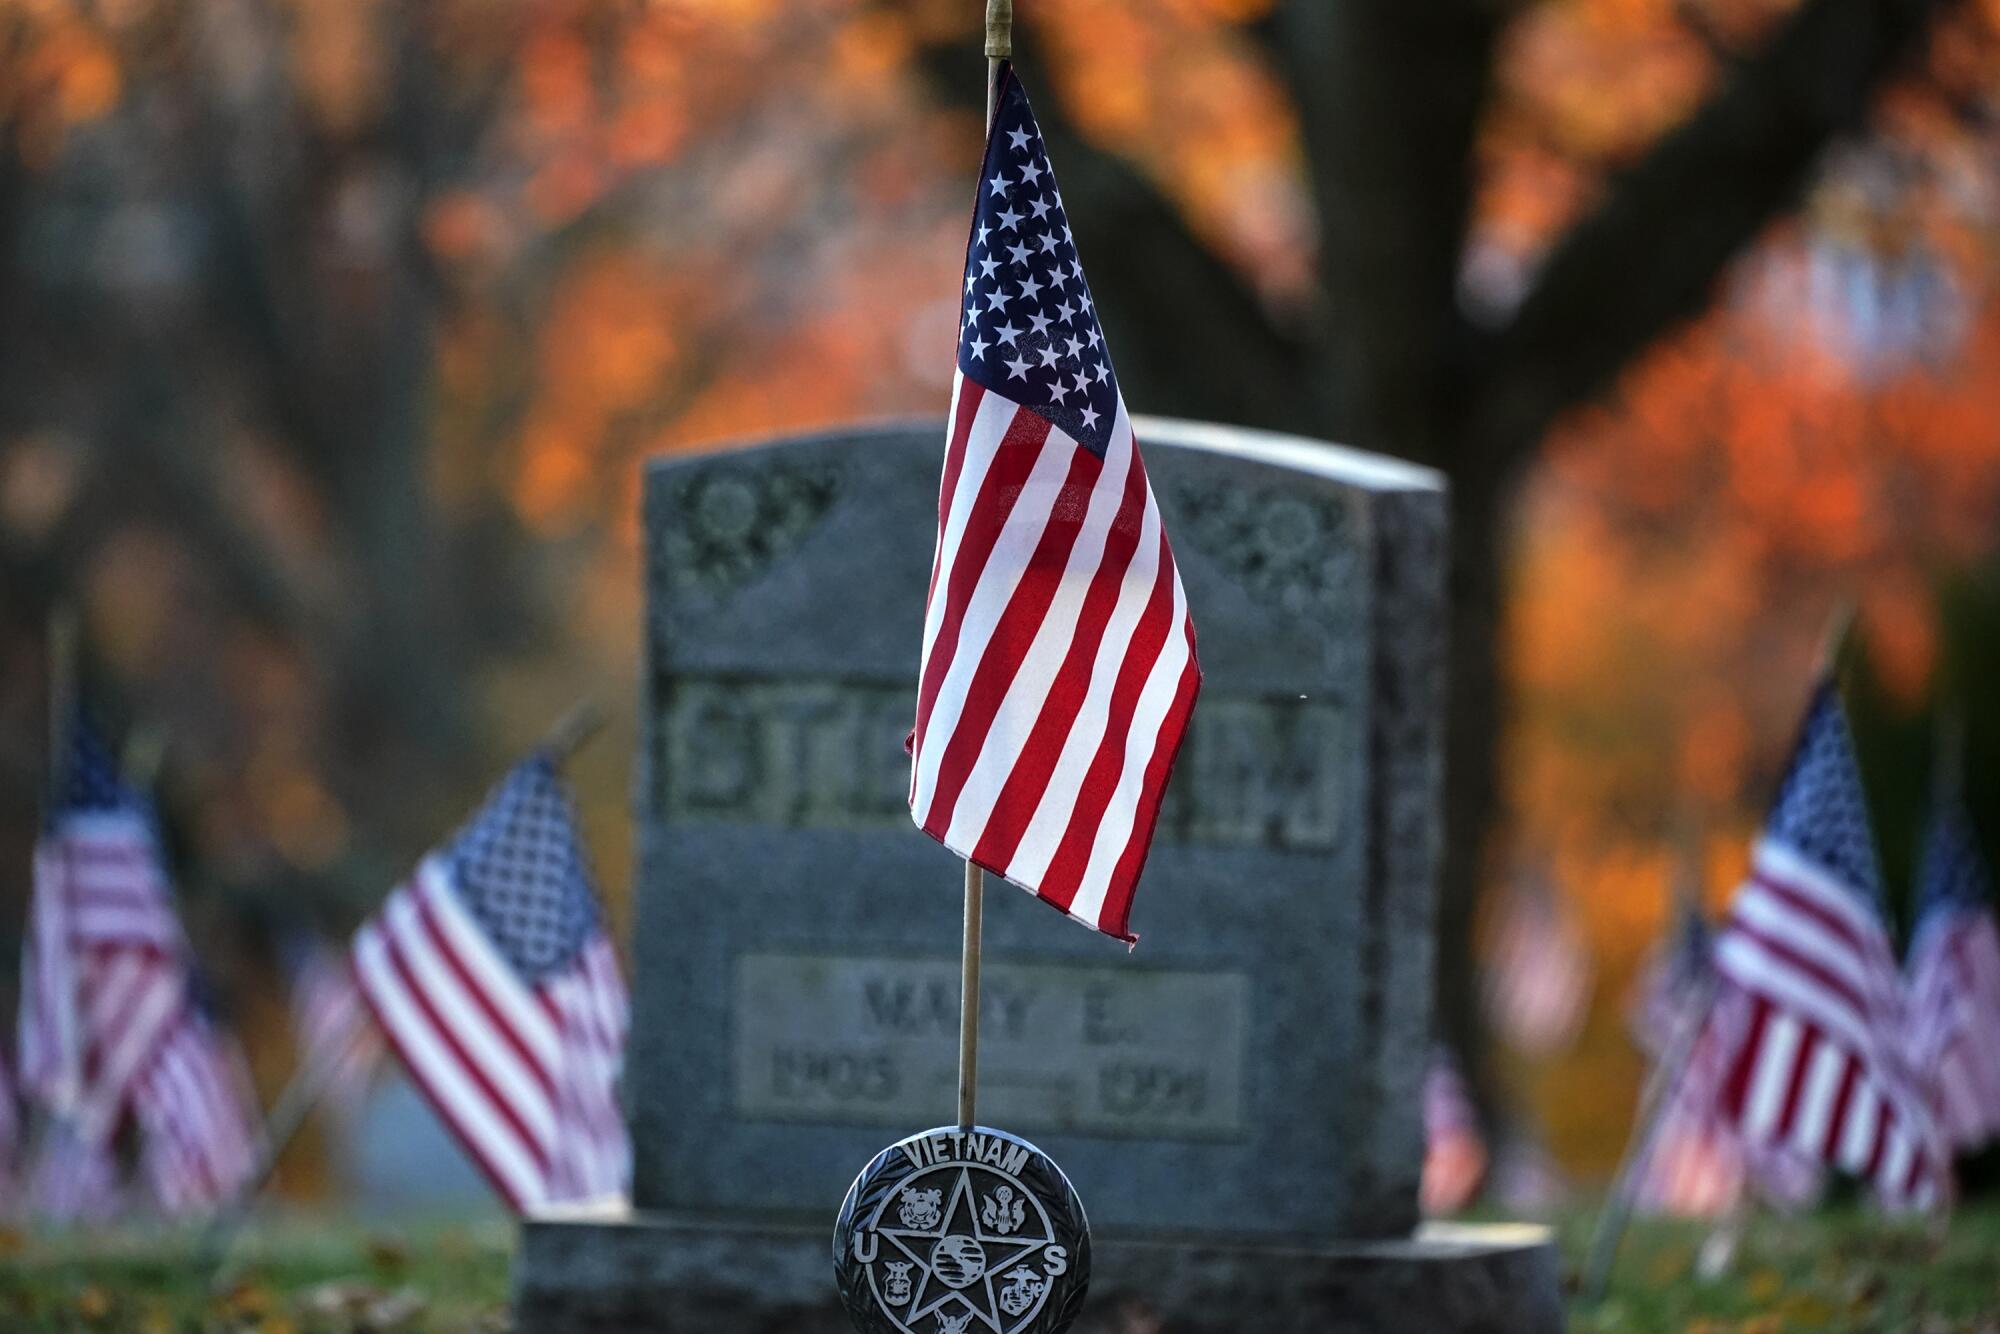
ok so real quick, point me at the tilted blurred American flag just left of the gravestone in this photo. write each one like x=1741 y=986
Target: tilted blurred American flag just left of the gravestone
x=495 y=983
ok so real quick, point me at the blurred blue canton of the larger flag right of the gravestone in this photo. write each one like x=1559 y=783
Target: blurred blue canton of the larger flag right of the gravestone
x=1821 y=809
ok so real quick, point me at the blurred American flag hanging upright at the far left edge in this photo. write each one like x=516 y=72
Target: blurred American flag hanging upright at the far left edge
x=105 y=973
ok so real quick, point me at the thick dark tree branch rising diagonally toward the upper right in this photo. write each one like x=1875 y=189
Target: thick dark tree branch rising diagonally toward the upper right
x=1653 y=253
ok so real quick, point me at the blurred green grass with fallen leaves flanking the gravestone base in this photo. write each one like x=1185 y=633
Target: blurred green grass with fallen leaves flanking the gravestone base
x=1841 y=1273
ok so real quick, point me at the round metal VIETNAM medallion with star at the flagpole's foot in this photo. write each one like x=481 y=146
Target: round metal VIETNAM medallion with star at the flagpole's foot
x=963 y=1233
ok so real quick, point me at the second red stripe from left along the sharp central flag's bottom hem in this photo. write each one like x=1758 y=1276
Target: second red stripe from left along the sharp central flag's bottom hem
x=1023 y=789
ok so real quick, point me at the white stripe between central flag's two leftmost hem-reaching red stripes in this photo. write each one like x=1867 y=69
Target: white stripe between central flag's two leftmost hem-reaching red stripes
x=1029 y=691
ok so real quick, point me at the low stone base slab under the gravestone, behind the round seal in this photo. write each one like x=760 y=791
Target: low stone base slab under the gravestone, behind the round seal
x=603 y=1273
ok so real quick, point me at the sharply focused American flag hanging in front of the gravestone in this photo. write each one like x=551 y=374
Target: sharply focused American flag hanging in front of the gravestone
x=1059 y=653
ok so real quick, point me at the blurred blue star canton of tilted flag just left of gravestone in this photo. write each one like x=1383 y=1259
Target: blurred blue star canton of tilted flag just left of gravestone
x=523 y=875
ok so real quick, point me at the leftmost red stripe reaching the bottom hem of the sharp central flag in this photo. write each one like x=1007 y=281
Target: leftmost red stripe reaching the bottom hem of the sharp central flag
x=1011 y=639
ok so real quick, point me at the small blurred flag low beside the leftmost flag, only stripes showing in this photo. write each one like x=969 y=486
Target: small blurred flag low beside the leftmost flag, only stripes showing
x=197 y=1117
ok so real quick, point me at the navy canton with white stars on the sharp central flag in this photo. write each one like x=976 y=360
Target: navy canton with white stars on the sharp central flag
x=1029 y=329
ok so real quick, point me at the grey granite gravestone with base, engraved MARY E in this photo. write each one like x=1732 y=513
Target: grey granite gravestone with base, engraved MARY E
x=1237 y=1099
